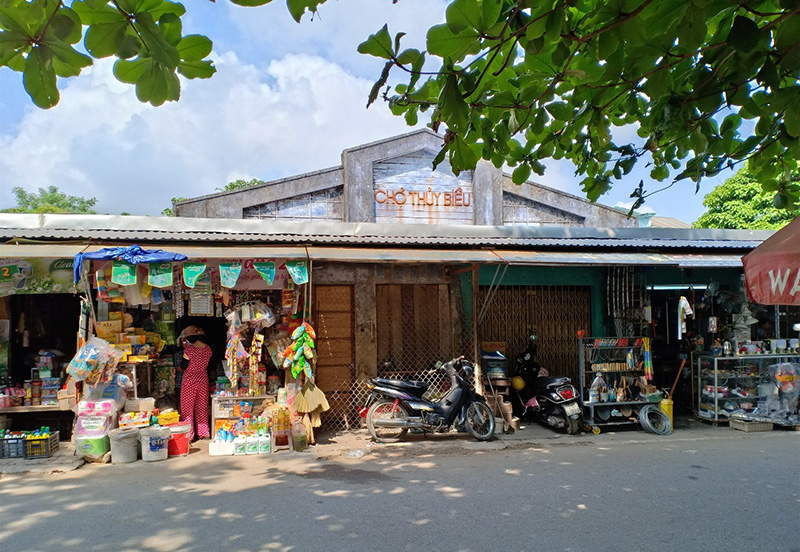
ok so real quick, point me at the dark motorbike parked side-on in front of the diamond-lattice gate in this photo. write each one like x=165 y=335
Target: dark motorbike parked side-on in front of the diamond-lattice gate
x=395 y=406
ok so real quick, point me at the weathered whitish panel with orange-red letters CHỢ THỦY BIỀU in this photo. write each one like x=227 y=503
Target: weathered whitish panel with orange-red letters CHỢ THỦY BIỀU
x=425 y=197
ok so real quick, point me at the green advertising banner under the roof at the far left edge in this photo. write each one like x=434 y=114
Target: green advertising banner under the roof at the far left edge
x=35 y=276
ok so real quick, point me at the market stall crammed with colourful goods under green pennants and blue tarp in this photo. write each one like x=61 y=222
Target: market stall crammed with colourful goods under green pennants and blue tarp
x=148 y=304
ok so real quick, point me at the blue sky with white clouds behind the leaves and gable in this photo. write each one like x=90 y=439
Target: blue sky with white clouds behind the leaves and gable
x=287 y=98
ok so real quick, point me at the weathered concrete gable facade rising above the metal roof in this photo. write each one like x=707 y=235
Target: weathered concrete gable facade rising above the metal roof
x=356 y=190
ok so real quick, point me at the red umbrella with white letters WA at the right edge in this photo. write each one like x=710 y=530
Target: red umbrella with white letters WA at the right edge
x=772 y=270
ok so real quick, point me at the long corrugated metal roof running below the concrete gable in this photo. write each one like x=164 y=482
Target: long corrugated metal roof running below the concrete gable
x=113 y=228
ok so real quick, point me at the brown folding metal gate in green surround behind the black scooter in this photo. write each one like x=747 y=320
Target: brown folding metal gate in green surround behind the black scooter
x=556 y=313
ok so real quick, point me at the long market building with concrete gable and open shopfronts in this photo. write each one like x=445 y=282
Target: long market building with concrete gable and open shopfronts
x=395 y=266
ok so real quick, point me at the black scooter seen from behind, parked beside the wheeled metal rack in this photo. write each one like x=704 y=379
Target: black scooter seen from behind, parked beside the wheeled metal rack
x=549 y=400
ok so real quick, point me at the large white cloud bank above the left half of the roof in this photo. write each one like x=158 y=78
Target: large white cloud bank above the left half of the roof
x=295 y=115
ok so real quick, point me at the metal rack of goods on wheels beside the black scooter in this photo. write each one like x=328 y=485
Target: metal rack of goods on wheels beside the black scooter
x=621 y=362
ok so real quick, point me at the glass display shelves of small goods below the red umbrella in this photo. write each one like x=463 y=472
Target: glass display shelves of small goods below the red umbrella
x=735 y=385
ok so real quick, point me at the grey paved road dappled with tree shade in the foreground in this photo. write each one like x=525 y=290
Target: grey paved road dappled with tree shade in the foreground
x=705 y=495
